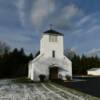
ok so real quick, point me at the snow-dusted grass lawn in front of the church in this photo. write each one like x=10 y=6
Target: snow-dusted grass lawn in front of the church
x=34 y=91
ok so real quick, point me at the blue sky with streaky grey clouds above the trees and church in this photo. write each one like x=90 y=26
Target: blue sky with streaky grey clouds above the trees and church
x=23 y=21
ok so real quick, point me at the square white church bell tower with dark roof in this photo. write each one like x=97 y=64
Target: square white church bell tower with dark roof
x=51 y=44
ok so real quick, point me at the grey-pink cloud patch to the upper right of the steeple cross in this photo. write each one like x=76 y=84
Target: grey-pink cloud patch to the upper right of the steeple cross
x=66 y=17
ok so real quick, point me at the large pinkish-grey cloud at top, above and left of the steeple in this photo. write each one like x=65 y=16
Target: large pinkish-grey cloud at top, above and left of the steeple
x=41 y=10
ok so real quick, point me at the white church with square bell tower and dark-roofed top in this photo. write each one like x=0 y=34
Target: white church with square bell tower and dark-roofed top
x=51 y=61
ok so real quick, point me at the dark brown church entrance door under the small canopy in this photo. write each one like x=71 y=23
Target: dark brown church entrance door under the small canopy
x=53 y=73
